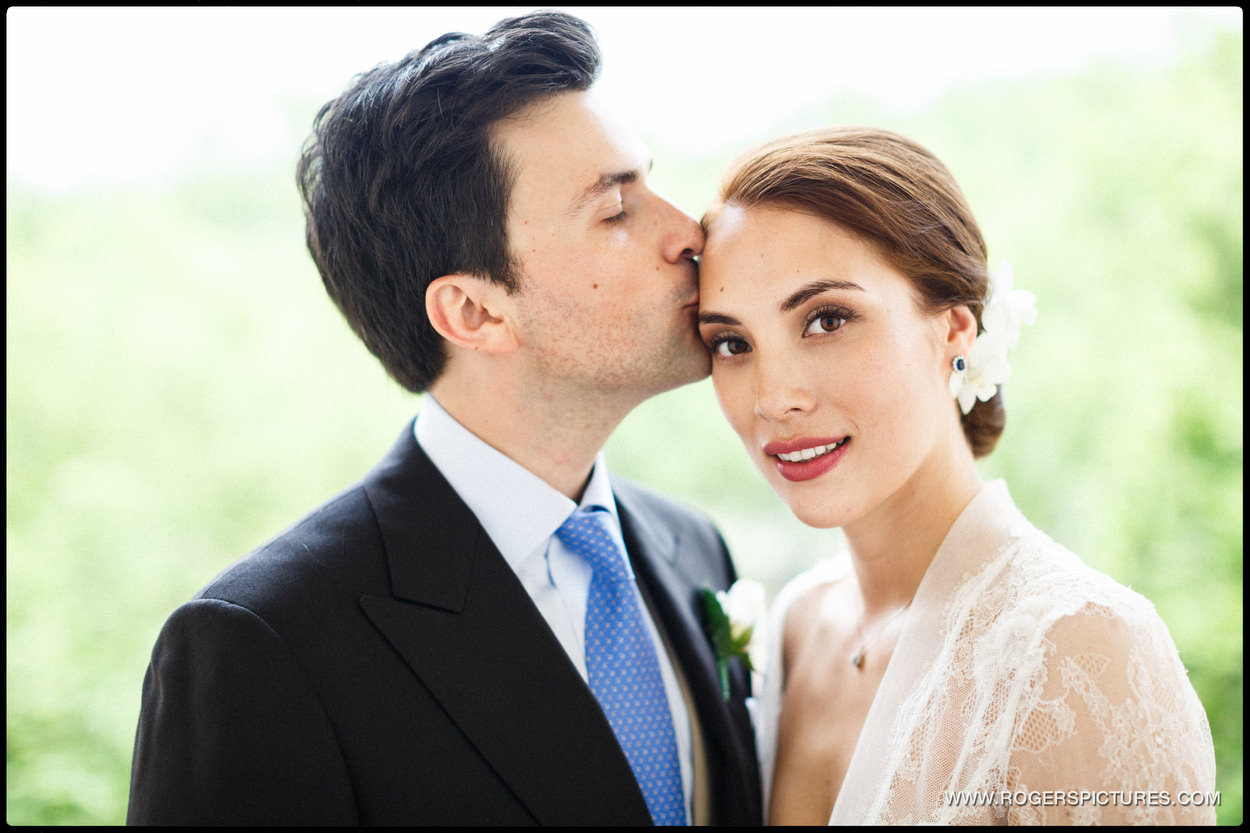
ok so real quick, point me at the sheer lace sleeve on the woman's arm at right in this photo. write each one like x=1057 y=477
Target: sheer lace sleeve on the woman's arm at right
x=1114 y=734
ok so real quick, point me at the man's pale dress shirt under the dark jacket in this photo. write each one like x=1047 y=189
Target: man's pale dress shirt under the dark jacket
x=522 y=512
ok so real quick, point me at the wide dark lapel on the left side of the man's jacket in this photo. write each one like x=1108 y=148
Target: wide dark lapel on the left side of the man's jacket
x=469 y=631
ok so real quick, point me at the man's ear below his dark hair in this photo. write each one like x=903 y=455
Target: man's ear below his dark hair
x=471 y=313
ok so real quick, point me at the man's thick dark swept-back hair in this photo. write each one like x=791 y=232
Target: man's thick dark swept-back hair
x=402 y=183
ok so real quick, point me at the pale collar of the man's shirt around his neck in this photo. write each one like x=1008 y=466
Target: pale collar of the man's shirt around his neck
x=518 y=510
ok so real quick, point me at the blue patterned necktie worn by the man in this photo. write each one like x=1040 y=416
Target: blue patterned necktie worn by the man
x=623 y=670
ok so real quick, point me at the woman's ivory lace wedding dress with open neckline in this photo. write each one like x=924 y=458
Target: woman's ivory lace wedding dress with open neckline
x=1026 y=689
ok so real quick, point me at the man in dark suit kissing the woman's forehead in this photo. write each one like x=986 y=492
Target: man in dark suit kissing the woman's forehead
x=428 y=649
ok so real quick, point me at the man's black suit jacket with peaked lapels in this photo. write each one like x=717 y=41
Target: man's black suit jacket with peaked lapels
x=381 y=664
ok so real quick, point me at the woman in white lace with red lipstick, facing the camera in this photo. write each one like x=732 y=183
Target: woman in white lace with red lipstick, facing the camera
x=957 y=665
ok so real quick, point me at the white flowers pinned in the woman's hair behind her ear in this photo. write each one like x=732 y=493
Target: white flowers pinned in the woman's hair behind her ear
x=979 y=376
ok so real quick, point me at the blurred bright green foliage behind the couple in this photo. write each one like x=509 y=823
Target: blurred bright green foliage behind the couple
x=181 y=390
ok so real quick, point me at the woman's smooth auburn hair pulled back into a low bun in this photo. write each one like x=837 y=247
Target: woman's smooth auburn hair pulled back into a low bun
x=897 y=197
